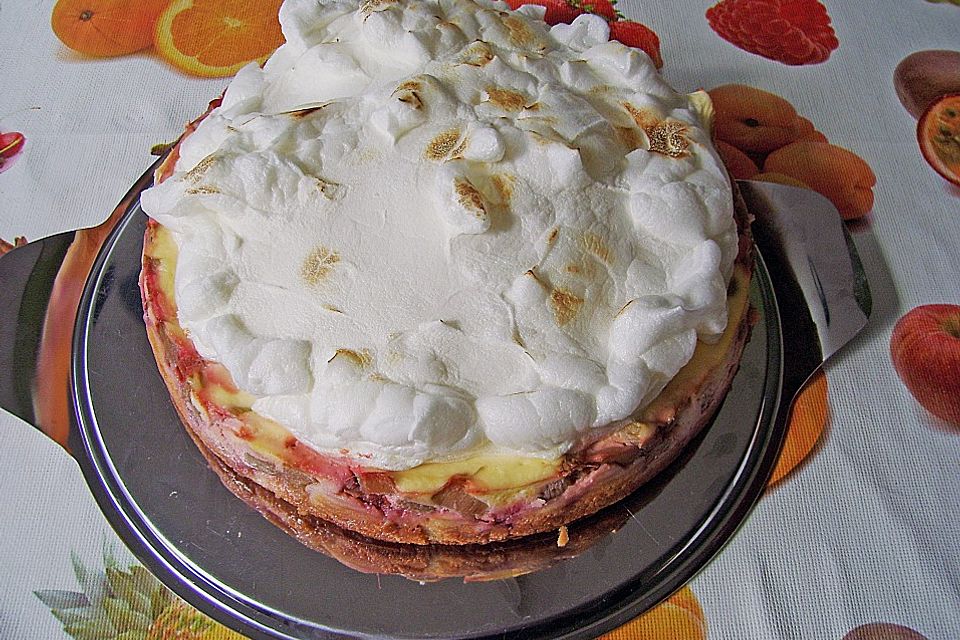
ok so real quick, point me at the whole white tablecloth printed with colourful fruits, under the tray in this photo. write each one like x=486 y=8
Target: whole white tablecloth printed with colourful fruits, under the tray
x=858 y=535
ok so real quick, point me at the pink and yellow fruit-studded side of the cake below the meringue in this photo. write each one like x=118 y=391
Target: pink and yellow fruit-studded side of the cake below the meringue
x=595 y=473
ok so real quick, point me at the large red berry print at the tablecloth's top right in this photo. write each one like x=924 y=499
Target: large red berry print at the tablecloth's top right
x=793 y=32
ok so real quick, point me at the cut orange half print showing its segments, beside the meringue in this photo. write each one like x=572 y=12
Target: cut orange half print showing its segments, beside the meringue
x=215 y=38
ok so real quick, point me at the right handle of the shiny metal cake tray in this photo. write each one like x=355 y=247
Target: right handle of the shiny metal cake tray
x=821 y=288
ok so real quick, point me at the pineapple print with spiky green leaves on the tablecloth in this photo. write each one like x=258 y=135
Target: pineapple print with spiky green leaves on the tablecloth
x=127 y=603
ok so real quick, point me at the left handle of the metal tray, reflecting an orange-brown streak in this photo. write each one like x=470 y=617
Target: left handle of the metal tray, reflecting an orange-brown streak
x=40 y=288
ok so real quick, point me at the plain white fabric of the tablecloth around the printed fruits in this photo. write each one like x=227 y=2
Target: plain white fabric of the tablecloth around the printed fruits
x=868 y=531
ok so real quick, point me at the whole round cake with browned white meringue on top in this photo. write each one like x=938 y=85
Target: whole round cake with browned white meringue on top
x=440 y=273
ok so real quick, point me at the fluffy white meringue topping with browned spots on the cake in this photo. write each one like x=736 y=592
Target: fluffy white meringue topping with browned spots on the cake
x=427 y=228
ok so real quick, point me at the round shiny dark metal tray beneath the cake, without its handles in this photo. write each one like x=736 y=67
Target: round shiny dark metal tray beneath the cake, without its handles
x=227 y=560
